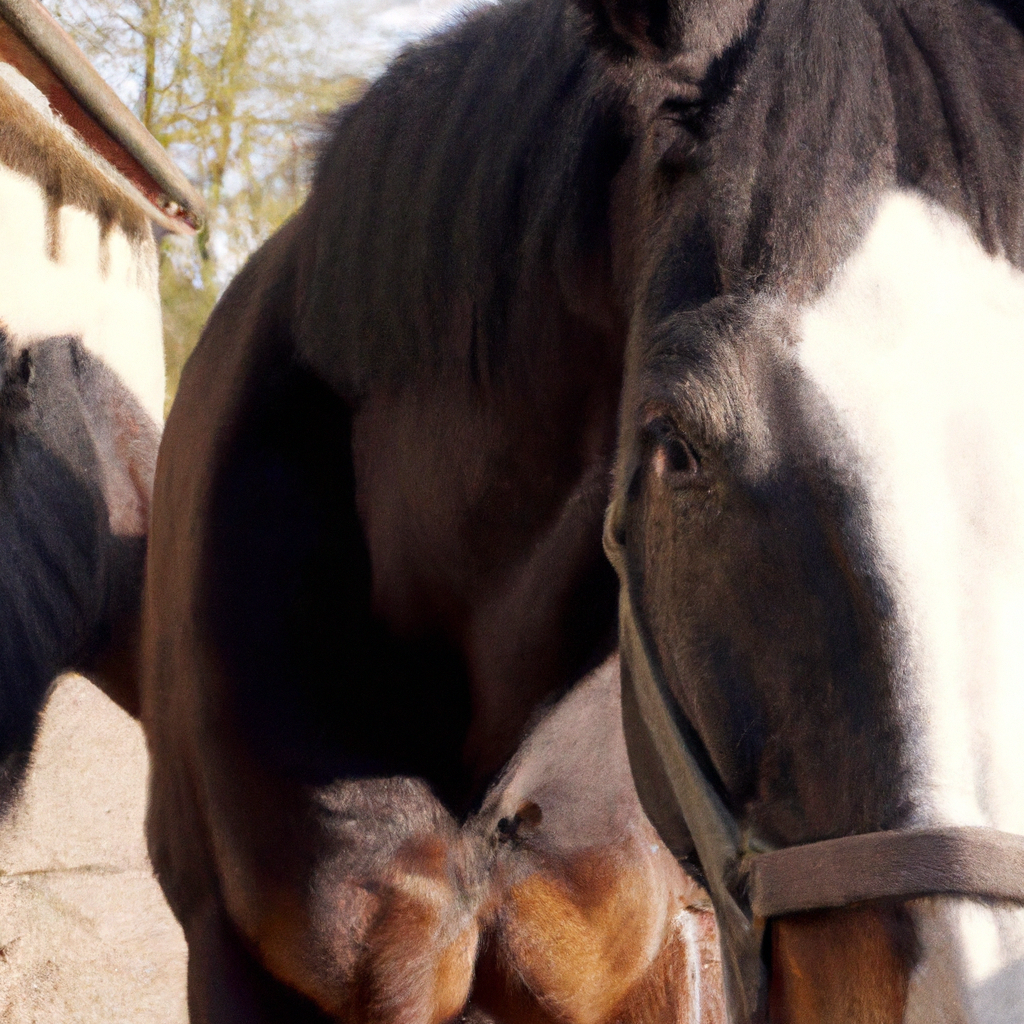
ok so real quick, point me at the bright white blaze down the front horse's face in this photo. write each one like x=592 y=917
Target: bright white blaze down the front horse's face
x=919 y=349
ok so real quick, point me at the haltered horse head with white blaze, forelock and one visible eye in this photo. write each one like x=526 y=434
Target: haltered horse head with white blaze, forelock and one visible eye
x=819 y=509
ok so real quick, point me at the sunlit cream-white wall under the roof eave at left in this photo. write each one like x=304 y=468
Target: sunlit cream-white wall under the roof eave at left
x=71 y=278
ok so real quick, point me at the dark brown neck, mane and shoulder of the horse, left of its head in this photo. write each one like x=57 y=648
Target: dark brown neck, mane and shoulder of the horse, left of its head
x=377 y=571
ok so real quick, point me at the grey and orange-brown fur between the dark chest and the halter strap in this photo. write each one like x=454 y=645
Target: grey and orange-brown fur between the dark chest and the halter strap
x=589 y=916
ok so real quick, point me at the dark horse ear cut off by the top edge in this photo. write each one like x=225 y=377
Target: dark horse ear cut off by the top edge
x=661 y=29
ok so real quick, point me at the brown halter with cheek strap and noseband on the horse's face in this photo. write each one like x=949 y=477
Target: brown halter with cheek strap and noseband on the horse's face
x=748 y=885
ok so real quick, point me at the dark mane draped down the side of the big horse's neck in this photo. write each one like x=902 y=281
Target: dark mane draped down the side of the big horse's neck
x=472 y=179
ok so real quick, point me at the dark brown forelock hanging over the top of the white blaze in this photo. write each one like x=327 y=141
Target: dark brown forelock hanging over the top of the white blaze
x=839 y=103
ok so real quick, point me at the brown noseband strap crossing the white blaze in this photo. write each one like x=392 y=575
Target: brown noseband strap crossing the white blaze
x=900 y=865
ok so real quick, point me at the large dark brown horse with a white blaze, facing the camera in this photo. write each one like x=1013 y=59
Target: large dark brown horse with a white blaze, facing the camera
x=770 y=253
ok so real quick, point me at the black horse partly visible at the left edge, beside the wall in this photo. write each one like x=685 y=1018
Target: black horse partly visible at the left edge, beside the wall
x=77 y=459
